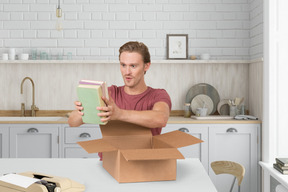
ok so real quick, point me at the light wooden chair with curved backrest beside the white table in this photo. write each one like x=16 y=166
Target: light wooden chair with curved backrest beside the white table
x=229 y=167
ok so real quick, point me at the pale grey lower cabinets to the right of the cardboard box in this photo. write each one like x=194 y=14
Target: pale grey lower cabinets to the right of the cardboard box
x=225 y=142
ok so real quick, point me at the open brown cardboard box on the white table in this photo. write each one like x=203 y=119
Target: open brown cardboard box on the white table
x=132 y=154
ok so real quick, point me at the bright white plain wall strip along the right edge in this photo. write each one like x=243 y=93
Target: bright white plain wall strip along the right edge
x=275 y=81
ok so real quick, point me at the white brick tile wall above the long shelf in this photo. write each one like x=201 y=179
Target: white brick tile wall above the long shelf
x=95 y=29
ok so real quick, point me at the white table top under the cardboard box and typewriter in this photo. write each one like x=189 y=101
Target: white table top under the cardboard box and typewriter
x=191 y=175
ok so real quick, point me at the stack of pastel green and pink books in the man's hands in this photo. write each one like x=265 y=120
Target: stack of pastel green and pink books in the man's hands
x=90 y=95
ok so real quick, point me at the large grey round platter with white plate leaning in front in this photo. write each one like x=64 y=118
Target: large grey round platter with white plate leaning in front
x=200 y=93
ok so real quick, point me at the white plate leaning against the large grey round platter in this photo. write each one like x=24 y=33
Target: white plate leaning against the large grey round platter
x=198 y=102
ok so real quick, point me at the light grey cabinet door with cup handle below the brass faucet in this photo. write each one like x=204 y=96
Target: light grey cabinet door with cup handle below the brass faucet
x=34 y=141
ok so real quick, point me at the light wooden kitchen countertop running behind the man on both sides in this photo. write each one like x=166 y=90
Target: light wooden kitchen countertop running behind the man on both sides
x=172 y=120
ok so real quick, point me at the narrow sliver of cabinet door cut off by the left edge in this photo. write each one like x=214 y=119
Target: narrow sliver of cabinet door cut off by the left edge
x=4 y=145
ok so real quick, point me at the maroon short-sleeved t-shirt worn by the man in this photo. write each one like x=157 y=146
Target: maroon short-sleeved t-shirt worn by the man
x=140 y=102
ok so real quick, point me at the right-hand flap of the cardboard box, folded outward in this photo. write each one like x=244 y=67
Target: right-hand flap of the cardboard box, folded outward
x=178 y=139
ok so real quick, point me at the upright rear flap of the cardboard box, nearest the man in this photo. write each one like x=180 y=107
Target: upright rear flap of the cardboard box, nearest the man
x=120 y=128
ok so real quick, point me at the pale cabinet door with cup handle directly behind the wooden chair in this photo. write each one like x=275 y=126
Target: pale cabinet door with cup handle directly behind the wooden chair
x=236 y=142
